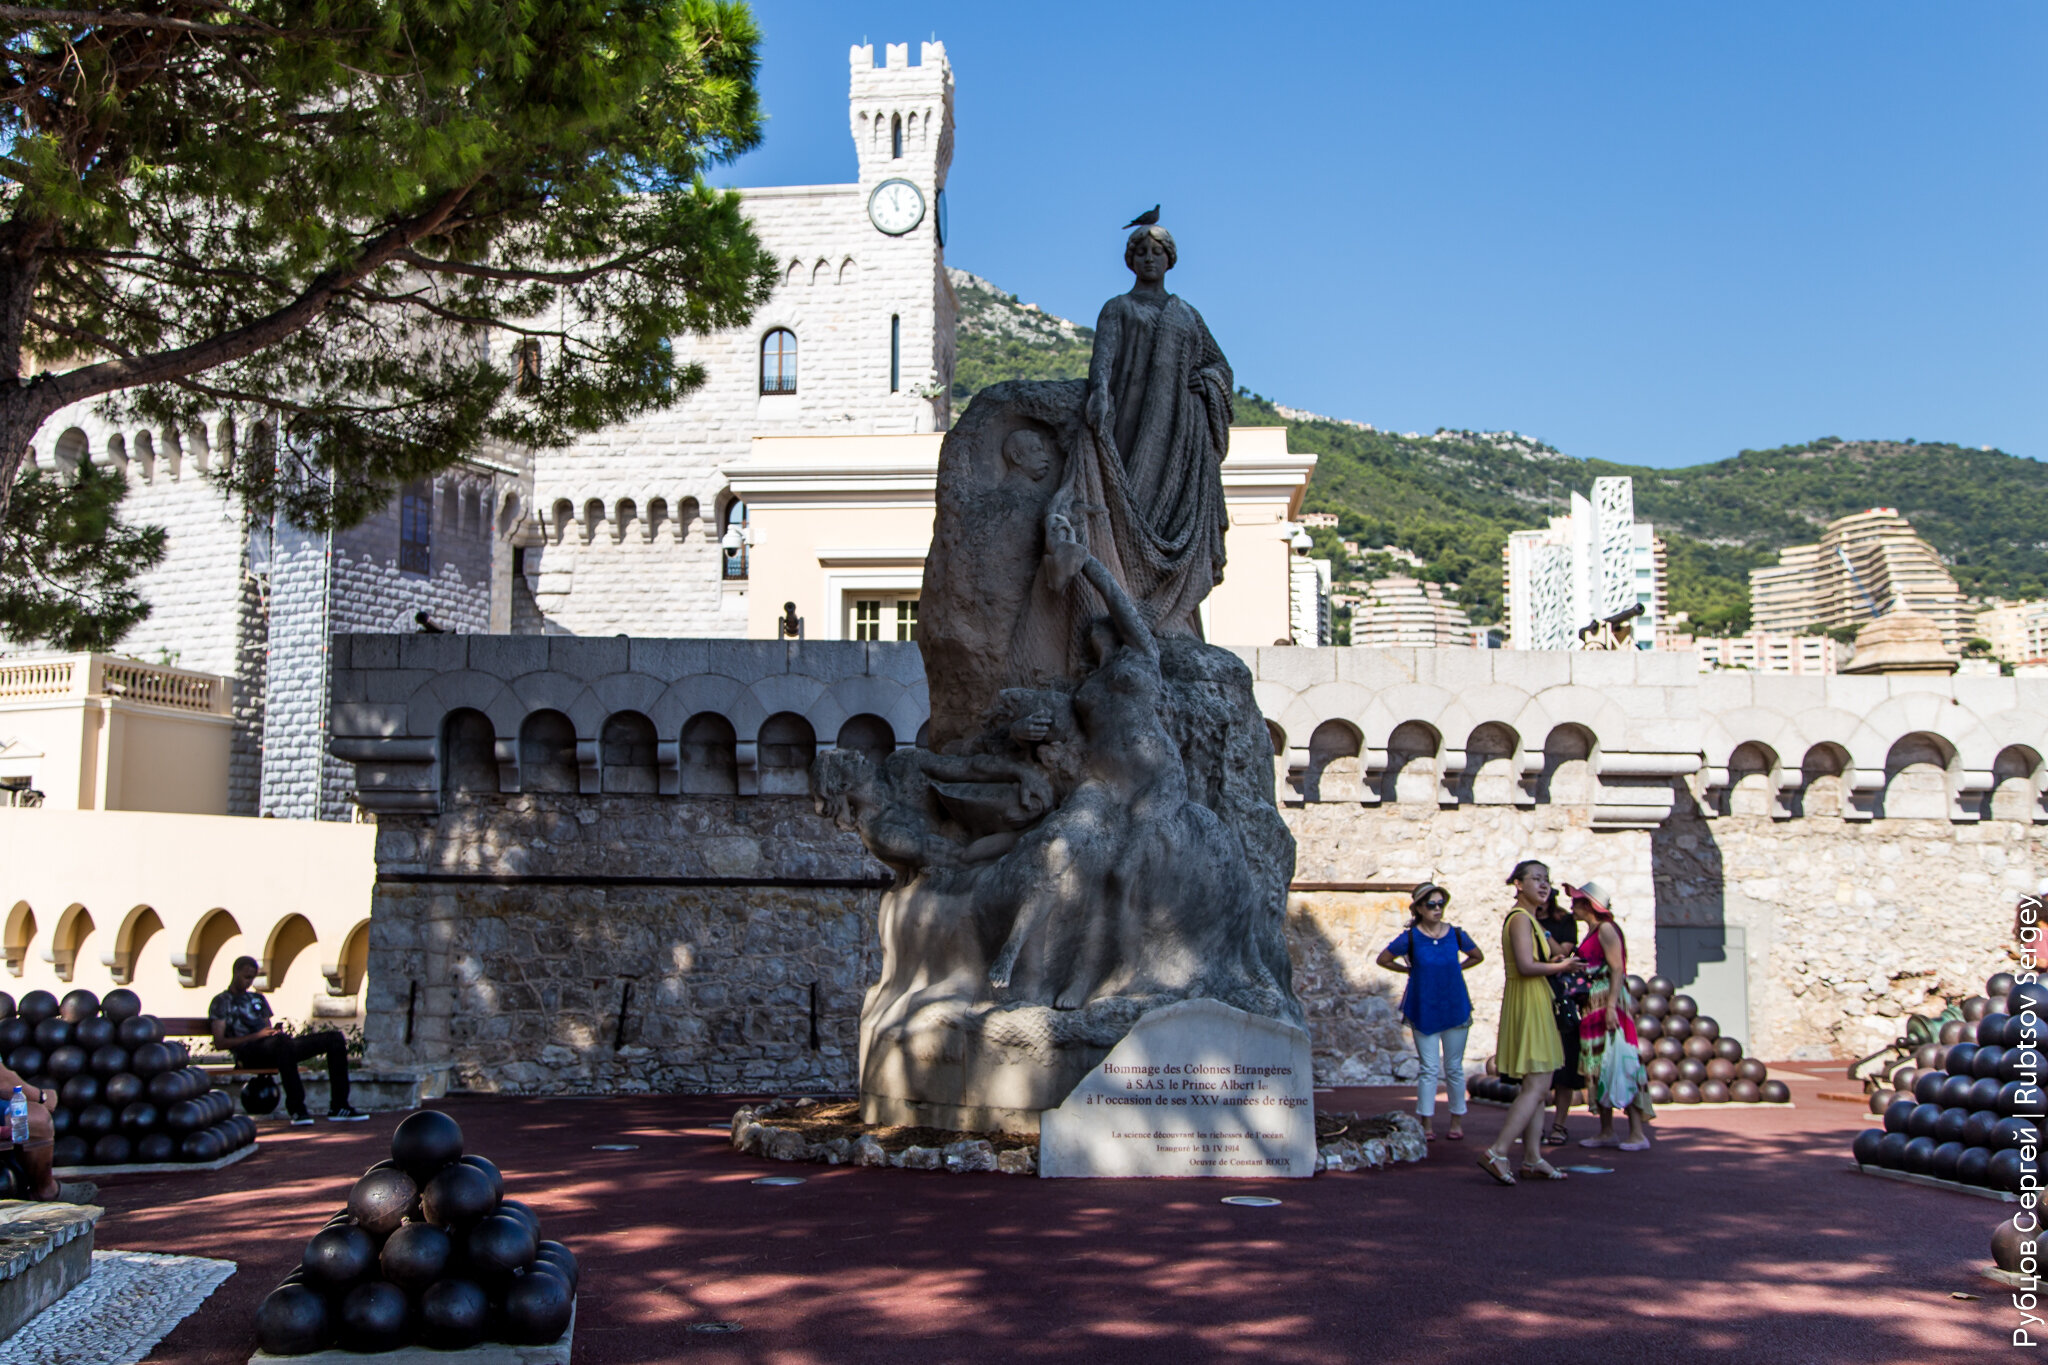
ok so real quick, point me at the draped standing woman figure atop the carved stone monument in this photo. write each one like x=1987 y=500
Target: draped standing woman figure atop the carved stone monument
x=1148 y=500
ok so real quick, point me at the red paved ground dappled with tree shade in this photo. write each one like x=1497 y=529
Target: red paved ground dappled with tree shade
x=1744 y=1235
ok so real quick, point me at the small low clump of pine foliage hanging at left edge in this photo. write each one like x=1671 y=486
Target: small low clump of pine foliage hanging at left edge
x=69 y=562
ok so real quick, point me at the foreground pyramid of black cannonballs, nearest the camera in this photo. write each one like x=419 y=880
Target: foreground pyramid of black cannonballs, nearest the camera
x=429 y=1251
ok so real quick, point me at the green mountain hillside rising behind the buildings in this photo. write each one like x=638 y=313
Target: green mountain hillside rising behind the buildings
x=1451 y=498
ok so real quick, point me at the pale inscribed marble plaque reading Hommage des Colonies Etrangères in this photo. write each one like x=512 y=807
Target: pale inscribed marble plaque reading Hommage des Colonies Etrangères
x=1197 y=1088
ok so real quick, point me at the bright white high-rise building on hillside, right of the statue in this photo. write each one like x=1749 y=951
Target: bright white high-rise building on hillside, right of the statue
x=1586 y=568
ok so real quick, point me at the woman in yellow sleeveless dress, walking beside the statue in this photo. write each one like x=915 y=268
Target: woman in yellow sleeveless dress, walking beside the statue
x=1529 y=1043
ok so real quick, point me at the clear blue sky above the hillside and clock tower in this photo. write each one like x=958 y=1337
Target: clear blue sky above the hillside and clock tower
x=1641 y=232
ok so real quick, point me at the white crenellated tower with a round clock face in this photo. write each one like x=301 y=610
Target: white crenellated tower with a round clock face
x=902 y=124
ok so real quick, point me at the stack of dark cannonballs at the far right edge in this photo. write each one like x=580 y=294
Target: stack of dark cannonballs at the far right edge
x=1965 y=1108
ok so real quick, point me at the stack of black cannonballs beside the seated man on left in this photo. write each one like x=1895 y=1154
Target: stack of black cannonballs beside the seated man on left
x=124 y=1094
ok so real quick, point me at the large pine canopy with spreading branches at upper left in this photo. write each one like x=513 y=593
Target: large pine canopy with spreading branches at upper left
x=398 y=232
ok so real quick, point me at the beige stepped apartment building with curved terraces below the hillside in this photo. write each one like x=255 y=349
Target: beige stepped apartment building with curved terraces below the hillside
x=1867 y=566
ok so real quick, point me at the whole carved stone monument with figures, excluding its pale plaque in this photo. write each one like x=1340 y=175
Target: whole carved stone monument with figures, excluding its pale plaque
x=1093 y=832
